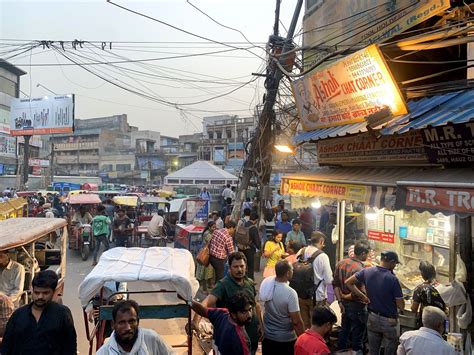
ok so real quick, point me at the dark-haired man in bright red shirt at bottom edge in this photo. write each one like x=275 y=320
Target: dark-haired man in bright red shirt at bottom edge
x=312 y=341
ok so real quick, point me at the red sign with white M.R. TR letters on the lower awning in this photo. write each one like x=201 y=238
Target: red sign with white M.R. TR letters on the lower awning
x=434 y=199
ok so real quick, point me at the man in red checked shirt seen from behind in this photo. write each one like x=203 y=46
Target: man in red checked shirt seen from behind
x=220 y=246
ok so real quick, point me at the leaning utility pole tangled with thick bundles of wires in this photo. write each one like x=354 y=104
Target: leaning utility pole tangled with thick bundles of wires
x=259 y=160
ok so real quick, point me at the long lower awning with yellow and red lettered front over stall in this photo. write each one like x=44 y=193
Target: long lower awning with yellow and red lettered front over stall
x=450 y=191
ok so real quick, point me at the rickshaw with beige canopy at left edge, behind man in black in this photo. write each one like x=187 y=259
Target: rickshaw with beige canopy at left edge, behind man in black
x=37 y=244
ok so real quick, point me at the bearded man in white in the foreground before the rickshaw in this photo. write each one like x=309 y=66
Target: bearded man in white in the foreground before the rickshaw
x=128 y=337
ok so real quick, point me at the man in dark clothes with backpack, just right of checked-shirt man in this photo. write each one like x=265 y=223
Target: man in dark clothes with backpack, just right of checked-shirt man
x=248 y=241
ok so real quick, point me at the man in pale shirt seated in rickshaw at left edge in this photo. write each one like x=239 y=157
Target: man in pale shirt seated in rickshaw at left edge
x=12 y=277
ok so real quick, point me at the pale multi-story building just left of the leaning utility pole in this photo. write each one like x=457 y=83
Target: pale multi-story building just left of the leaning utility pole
x=224 y=139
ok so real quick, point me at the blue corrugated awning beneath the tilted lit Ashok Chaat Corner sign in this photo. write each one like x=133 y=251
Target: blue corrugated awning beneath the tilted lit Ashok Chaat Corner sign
x=453 y=107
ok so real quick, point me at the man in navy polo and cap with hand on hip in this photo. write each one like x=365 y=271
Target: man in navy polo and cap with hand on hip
x=384 y=296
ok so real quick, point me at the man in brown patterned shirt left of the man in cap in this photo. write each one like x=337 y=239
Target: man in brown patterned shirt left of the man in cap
x=354 y=312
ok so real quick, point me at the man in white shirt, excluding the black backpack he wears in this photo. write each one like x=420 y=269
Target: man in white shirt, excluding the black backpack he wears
x=322 y=276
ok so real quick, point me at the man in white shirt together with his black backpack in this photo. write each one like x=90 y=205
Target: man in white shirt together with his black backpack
x=311 y=275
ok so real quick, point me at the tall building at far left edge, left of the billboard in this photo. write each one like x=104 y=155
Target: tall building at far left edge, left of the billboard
x=9 y=88
